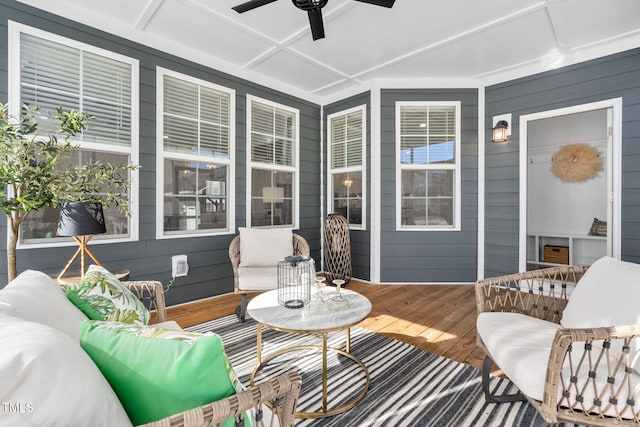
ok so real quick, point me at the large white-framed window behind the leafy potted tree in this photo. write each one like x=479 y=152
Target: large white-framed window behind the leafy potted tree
x=48 y=71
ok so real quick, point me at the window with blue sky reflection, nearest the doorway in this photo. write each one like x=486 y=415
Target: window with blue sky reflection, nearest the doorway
x=428 y=165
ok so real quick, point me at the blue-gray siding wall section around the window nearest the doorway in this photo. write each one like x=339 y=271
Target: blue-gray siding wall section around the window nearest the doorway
x=429 y=256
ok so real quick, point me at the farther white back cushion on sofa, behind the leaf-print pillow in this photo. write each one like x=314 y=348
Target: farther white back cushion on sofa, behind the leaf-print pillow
x=36 y=297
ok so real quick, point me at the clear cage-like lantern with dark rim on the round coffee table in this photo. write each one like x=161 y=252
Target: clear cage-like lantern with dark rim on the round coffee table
x=295 y=275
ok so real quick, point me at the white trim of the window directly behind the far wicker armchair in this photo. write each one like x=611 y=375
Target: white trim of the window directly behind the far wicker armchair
x=294 y=169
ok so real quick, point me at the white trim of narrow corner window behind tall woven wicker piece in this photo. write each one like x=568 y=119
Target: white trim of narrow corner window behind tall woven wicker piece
x=362 y=168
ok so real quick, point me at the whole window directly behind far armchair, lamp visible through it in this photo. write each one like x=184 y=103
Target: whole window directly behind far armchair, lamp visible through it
x=273 y=164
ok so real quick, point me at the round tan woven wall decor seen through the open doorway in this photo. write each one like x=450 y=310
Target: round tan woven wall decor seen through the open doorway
x=576 y=162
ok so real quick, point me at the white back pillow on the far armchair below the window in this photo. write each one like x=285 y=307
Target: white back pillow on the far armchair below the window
x=261 y=247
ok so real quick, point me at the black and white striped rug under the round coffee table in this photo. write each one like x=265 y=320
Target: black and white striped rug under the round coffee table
x=409 y=387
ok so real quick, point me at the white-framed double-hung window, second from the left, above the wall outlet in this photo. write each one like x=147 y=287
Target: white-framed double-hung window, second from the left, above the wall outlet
x=195 y=161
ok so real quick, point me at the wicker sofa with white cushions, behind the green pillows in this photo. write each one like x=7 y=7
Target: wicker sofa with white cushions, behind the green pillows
x=47 y=379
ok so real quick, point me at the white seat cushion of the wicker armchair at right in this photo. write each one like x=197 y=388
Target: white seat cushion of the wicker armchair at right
x=520 y=345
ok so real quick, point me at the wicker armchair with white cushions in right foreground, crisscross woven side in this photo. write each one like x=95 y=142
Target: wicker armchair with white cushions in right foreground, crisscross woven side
x=589 y=375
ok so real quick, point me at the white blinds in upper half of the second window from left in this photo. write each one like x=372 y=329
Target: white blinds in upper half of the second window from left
x=196 y=119
